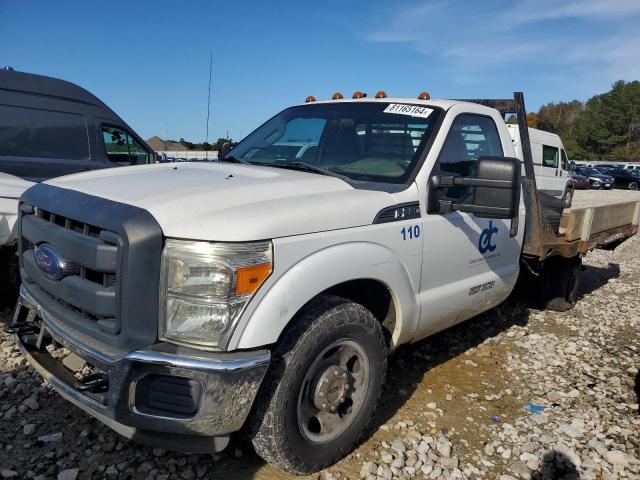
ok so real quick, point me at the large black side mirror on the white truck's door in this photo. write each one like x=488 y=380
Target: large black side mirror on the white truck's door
x=496 y=190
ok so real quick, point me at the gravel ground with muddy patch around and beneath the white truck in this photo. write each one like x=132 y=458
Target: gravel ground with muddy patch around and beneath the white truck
x=513 y=393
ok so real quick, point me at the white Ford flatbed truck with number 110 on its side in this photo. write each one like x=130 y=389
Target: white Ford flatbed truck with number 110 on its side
x=264 y=294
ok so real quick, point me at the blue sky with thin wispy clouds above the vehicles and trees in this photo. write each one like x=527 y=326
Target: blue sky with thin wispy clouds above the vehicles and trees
x=149 y=60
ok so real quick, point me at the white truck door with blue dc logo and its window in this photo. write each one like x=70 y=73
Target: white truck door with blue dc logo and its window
x=470 y=264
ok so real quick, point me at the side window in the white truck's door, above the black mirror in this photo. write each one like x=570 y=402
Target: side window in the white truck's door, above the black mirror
x=470 y=137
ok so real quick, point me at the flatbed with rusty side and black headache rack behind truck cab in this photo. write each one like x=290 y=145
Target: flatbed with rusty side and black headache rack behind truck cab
x=580 y=230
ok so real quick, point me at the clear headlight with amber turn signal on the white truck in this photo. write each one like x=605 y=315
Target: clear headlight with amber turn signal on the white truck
x=204 y=287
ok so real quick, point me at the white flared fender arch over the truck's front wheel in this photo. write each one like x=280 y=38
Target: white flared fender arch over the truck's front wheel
x=265 y=318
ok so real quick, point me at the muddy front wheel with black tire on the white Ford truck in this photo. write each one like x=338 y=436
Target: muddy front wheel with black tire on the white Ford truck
x=322 y=387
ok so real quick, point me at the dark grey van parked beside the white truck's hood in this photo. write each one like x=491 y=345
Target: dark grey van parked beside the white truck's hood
x=50 y=127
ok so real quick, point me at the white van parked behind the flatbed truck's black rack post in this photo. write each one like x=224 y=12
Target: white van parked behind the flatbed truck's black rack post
x=549 y=160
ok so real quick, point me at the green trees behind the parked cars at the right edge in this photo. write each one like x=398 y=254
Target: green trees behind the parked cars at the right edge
x=606 y=127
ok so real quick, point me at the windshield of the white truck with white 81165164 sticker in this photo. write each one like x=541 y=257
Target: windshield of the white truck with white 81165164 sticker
x=378 y=142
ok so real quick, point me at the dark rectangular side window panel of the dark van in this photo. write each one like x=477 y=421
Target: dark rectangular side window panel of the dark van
x=31 y=132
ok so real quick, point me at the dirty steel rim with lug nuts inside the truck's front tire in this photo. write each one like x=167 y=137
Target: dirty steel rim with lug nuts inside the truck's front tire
x=333 y=391
